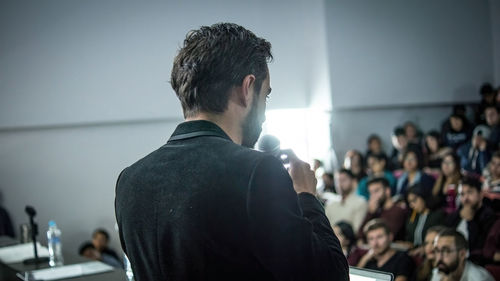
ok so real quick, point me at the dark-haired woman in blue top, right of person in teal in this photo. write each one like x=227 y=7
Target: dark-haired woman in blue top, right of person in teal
x=413 y=174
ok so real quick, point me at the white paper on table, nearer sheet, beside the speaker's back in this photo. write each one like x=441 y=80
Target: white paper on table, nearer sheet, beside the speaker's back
x=68 y=271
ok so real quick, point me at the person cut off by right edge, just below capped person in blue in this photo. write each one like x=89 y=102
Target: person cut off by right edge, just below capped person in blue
x=491 y=184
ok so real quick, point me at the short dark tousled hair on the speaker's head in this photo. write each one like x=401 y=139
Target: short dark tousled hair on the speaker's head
x=212 y=60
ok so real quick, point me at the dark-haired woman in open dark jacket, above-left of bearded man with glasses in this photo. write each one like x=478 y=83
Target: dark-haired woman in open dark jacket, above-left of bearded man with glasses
x=422 y=217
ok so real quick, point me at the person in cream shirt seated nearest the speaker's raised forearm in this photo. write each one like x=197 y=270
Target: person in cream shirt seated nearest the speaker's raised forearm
x=348 y=206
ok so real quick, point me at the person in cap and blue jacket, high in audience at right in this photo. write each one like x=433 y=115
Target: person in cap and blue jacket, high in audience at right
x=475 y=155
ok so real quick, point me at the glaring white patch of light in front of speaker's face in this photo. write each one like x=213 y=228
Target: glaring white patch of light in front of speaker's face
x=305 y=131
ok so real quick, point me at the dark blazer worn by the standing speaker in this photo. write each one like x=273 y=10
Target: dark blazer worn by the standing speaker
x=204 y=208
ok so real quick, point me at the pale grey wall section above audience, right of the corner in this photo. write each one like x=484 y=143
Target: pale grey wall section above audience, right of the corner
x=405 y=52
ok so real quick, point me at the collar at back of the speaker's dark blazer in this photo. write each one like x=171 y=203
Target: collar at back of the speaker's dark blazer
x=198 y=128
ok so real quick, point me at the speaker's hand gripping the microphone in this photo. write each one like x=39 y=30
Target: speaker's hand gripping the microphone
x=302 y=176
